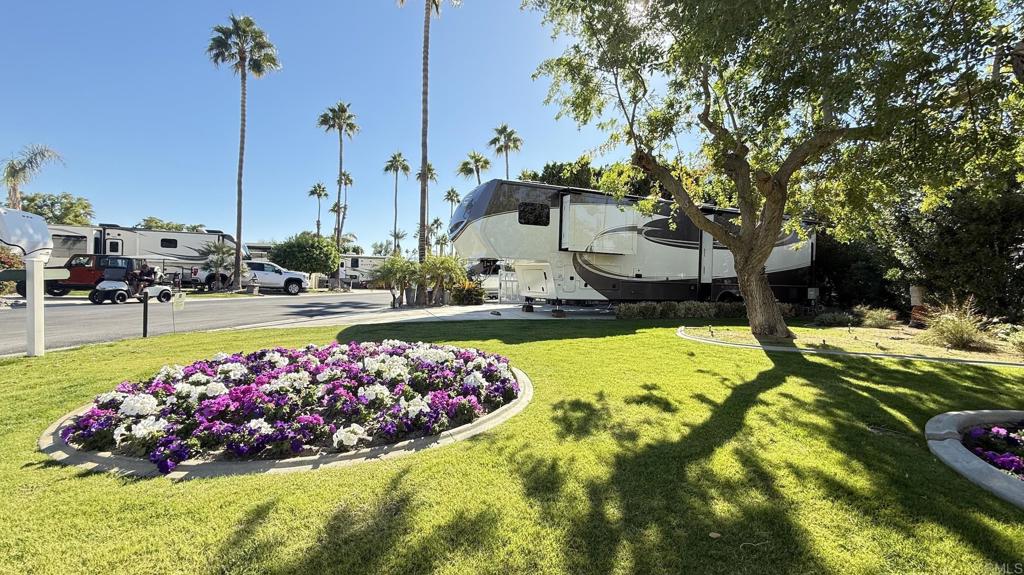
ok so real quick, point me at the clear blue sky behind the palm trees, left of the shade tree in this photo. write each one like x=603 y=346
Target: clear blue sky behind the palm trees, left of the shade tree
x=148 y=126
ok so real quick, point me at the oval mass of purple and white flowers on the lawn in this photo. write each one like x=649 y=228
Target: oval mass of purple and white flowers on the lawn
x=283 y=403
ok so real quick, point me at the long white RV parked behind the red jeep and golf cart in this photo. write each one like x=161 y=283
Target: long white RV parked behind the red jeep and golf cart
x=173 y=252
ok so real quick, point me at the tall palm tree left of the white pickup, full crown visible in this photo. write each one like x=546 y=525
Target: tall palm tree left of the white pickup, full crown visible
x=246 y=49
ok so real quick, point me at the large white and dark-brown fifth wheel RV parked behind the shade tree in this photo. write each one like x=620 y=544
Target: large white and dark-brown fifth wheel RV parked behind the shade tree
x=571 y=245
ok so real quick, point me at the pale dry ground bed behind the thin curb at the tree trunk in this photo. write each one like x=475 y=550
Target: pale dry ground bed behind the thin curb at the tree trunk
x=902 y=340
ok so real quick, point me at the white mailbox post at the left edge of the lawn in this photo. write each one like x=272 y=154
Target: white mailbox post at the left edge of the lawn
x=27 y=234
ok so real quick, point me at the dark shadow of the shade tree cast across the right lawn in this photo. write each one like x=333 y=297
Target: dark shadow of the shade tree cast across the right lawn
x=663 y=510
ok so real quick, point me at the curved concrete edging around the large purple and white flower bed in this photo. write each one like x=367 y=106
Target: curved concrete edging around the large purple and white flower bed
x=52 y=445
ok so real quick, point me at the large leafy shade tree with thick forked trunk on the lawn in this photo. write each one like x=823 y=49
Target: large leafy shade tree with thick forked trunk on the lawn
x=789 y=99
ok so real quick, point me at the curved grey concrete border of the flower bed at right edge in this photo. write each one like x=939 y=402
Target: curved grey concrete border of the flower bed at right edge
x=944 y=433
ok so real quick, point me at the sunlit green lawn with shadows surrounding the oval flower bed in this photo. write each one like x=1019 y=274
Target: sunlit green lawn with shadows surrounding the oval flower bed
x=641 y=454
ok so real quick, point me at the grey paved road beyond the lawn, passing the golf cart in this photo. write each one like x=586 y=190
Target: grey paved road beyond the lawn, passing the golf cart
x=71 y=323
